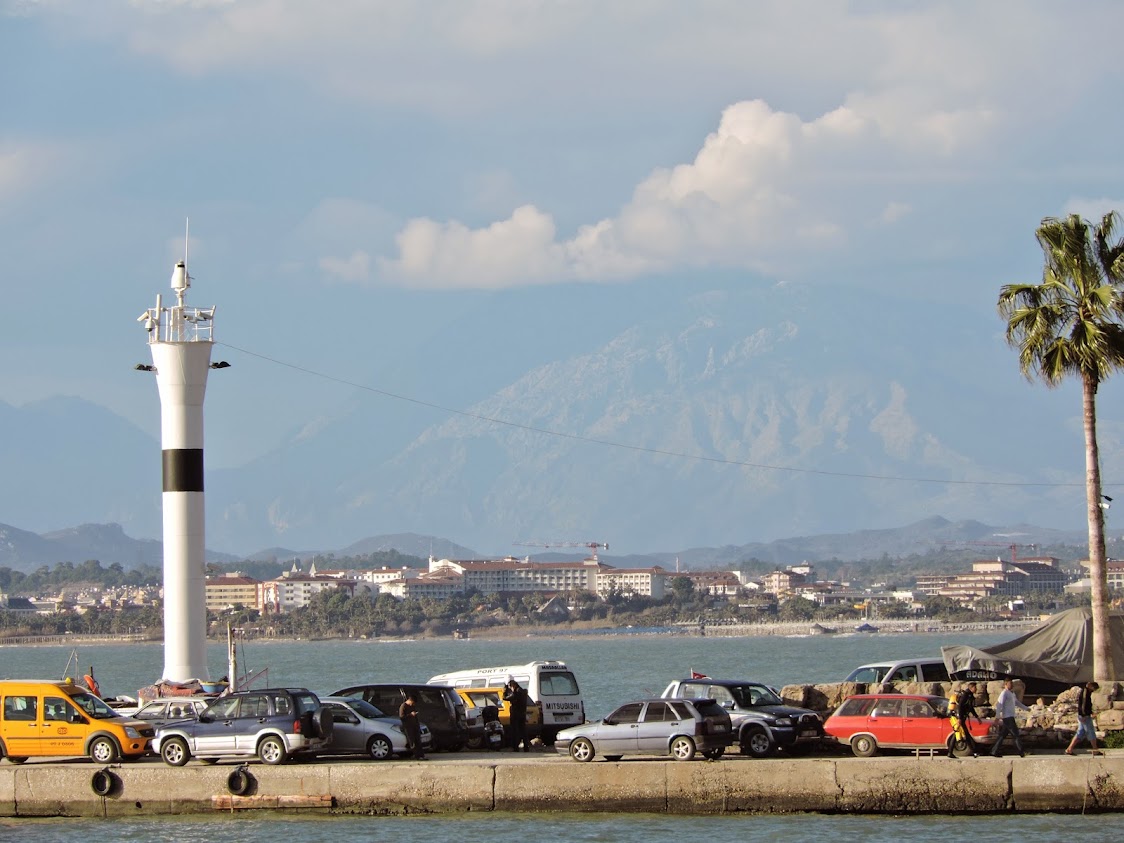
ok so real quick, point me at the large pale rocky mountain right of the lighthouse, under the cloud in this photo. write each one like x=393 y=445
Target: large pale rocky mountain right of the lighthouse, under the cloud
x=793 y=407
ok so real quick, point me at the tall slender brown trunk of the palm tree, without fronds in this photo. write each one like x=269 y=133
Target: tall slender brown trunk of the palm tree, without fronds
x=1099 y=568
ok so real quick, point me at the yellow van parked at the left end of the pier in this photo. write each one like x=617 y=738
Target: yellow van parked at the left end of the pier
x=46 y=719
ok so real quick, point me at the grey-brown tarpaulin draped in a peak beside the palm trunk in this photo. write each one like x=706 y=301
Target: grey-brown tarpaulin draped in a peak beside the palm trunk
x=1059 y=651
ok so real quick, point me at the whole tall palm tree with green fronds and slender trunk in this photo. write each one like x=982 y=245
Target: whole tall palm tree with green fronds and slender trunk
x=1073 y=324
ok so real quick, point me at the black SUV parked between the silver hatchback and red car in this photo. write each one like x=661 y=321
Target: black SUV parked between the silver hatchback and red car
x=763 y=723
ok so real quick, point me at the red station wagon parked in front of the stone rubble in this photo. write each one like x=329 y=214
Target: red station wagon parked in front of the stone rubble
x=868 y=722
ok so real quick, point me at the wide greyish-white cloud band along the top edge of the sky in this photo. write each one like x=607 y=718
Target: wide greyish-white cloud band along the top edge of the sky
x=455 y=57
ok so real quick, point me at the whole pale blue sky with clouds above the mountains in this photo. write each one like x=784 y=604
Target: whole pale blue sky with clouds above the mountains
x=355 y=170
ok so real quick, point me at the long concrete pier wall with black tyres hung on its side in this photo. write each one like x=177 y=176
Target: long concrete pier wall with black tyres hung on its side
x=896 y=785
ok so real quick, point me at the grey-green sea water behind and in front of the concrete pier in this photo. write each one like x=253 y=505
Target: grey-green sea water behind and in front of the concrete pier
x=612 y=669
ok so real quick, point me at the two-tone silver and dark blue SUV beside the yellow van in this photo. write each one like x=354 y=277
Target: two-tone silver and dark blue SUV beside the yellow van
x=275 y=724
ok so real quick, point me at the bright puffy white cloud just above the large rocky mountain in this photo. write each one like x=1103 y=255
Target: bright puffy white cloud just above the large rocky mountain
x=751 y=198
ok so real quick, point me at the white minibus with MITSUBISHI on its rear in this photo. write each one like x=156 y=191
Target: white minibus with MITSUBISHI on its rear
x=549 y=683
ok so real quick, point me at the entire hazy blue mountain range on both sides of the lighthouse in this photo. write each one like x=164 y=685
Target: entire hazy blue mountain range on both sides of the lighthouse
x=730 y=419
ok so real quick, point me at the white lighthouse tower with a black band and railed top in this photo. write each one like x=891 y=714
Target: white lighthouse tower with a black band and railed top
x=180 y=340
